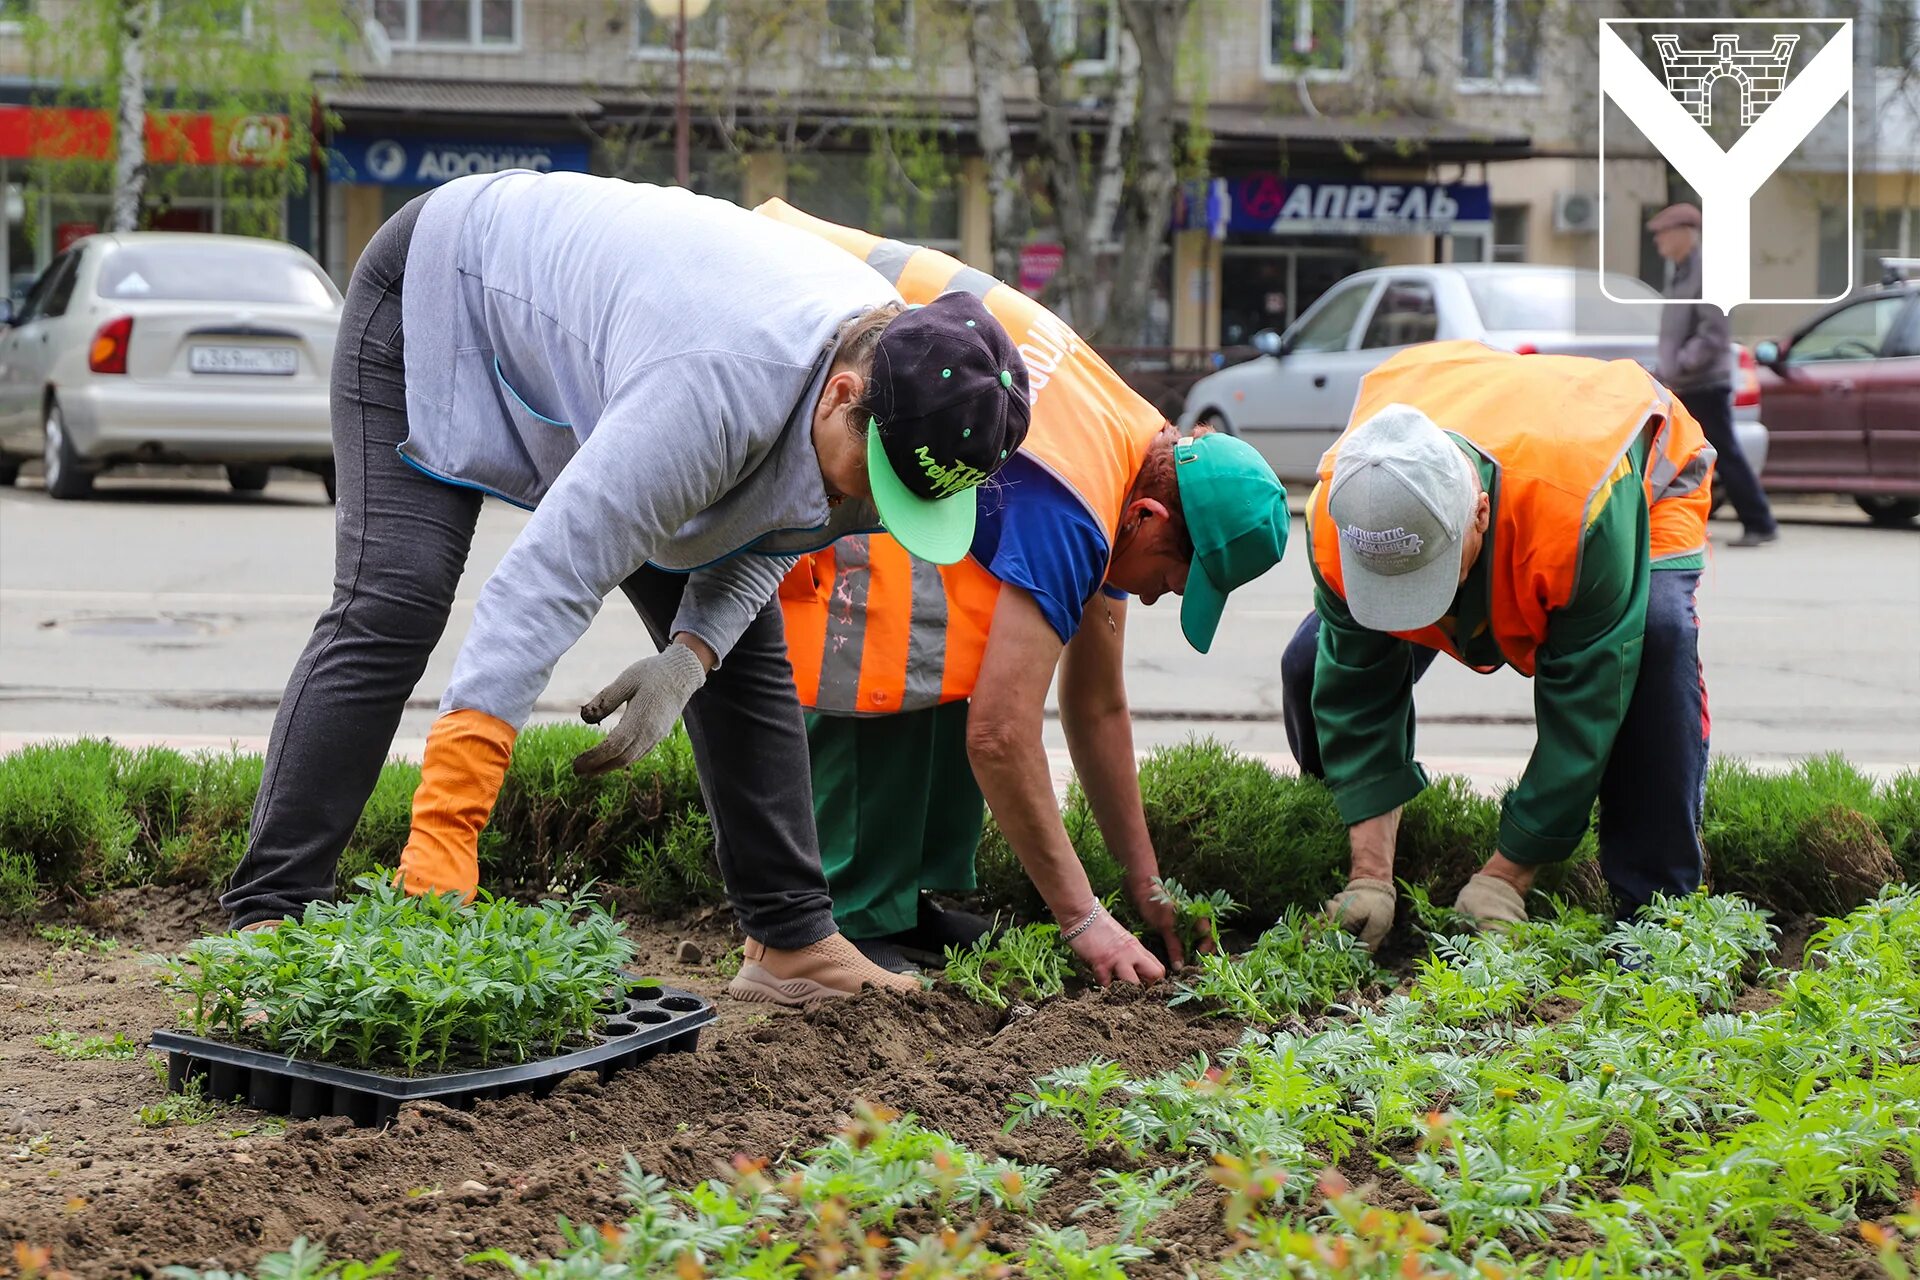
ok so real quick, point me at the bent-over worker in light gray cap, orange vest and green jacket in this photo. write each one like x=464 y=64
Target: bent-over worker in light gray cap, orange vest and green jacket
x=1529 y=511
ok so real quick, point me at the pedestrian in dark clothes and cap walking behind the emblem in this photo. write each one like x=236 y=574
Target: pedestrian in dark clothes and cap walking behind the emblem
x=1698 y=369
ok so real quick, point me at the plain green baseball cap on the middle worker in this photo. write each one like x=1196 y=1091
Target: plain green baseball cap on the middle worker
x=1236 y=511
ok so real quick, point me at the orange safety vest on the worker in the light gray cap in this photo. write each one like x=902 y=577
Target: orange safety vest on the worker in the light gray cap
x=1558 y=429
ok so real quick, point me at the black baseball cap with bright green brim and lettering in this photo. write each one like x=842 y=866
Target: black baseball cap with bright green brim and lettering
x=949 y=398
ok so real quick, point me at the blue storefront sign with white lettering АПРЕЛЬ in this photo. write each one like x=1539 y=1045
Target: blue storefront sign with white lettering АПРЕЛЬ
x=1270 y=204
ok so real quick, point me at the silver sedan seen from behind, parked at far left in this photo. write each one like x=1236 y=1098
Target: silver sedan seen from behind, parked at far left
x=170 y=348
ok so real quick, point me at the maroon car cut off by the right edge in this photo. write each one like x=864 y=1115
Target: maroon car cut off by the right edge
x=1842 y=402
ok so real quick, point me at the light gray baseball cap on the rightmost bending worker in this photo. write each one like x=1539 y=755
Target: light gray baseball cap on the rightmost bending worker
x=1403 y=498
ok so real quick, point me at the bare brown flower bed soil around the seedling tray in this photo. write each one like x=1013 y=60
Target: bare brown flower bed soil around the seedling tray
x=112 y=1198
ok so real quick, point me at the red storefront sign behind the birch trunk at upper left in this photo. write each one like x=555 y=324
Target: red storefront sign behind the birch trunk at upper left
x=172 y=139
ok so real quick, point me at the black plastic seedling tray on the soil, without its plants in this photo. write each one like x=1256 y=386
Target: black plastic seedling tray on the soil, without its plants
x=658 y=1020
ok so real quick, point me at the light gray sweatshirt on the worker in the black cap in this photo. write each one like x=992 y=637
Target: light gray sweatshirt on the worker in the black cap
x=638 y=366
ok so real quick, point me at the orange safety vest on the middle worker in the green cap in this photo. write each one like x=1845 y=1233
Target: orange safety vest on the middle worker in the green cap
x=875 y=632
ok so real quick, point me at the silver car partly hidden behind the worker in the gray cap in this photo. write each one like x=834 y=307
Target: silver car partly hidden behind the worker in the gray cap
x=1295 y=398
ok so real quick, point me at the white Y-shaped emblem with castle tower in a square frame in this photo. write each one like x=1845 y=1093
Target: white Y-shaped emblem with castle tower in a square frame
x=1781 y=107
